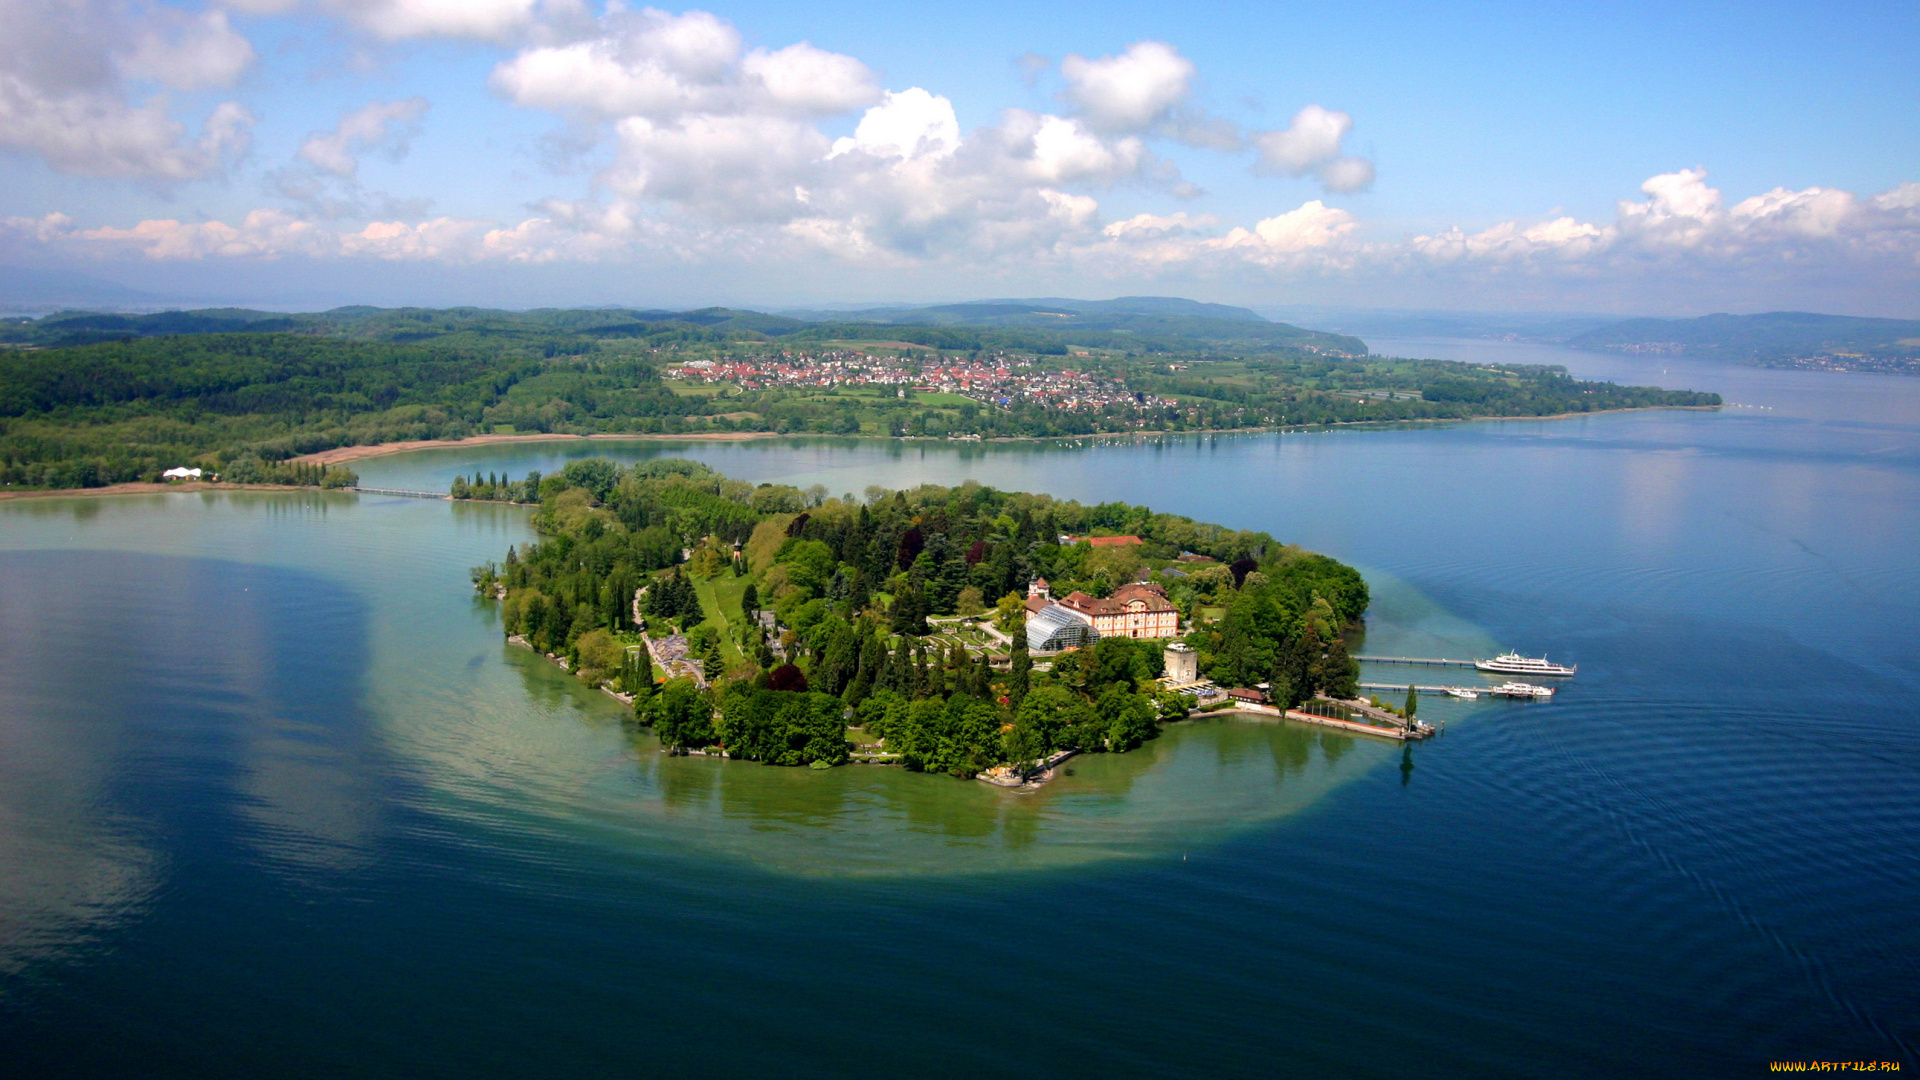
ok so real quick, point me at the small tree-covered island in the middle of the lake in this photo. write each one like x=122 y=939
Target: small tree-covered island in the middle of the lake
x=804 y=629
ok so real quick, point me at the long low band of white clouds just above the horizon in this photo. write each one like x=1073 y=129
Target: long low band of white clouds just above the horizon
x=965 y=214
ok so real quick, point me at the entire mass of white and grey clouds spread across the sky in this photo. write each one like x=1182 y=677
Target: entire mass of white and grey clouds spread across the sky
x=715 y=153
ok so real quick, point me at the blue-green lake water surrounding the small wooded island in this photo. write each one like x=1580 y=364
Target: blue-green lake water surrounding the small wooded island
x=274 y=797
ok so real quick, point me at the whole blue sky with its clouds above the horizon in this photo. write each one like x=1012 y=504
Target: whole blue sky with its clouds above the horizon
x=1493 y=157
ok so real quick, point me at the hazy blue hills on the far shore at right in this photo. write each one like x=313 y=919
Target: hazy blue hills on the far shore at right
x=1777 y=339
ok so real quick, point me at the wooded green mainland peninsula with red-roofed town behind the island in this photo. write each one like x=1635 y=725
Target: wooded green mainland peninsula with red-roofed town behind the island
x=91 y=401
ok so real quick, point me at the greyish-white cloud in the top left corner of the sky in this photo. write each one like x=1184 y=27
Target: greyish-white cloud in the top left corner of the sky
x=70 y=72
